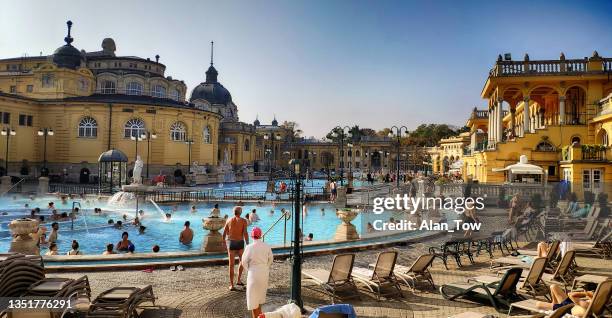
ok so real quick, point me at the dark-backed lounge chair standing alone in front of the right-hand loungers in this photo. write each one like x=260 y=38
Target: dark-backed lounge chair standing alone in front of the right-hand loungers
x=500 y=293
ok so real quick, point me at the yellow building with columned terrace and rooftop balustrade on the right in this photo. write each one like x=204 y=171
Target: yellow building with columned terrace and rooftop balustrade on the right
x=557 y=112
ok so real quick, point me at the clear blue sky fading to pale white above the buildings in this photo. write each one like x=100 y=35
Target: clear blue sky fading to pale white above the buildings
x=323 y=63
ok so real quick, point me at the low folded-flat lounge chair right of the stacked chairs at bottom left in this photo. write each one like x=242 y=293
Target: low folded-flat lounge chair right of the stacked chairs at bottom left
x=121 y=302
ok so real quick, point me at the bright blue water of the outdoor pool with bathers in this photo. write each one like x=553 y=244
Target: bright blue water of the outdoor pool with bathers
x=93 y=232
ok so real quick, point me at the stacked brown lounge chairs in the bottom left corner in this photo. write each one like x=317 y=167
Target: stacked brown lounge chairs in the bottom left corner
x=24 y=276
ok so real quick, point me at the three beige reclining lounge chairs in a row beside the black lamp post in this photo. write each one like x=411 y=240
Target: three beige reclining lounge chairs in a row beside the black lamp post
x=385 y=273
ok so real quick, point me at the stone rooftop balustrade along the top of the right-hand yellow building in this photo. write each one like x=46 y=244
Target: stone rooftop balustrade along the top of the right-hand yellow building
x=592 y=65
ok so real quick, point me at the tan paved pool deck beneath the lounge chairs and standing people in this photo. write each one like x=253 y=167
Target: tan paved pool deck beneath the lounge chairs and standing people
x=202 y=291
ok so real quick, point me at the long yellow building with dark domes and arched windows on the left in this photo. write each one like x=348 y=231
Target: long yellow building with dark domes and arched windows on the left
x=63 y=110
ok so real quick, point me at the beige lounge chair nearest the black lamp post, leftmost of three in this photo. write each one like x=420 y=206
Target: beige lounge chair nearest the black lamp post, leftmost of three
x=331 y=281
